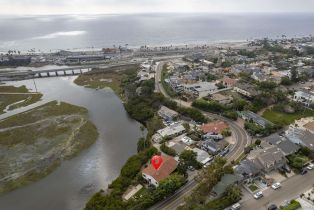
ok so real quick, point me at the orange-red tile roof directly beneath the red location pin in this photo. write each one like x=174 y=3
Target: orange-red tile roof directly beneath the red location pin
x=168 y=165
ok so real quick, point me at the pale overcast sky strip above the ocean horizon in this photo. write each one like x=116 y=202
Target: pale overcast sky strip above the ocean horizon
x=13 y=7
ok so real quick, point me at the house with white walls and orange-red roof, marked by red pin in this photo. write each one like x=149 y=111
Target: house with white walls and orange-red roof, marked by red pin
x=153 y=176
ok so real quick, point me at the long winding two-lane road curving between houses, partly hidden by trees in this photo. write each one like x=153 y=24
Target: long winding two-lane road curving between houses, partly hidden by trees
x=241 y=136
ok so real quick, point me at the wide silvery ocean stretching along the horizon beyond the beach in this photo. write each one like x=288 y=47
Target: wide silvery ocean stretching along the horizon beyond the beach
x=63 y=32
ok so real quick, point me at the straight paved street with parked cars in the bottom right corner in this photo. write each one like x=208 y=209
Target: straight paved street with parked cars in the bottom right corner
x=291 y=188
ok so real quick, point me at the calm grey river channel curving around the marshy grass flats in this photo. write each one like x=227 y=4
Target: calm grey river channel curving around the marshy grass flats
x=70 y=185
